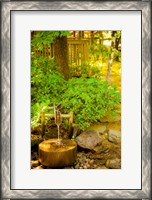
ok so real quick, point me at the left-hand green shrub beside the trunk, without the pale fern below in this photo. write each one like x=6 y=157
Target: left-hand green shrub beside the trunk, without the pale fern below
x=47 y=83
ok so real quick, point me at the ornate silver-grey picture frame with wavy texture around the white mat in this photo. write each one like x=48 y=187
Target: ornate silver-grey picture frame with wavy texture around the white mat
x=7 y=122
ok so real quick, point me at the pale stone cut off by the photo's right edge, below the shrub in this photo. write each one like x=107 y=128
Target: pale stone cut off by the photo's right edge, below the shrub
x=114 y=136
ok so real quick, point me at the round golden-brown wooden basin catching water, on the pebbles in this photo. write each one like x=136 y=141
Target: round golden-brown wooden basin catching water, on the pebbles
x=55 y=155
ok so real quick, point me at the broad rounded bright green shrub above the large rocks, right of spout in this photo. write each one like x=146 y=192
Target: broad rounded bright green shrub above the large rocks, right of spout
x=89 y=99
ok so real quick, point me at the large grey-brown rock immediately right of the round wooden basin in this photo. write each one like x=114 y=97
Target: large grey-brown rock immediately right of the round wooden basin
x=89 y=139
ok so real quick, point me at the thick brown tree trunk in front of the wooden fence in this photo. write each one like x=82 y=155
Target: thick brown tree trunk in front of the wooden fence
x=61 y=55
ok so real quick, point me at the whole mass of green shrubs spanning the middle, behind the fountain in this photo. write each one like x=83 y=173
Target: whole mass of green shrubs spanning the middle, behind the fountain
x=89 y=98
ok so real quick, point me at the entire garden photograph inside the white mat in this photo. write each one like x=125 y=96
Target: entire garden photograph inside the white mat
x=76 y=99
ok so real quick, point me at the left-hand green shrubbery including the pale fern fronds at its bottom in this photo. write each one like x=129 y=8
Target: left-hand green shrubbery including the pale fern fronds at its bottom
x=47 y=85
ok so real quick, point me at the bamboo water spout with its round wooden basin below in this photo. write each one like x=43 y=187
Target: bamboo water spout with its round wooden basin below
x=57 y=152
